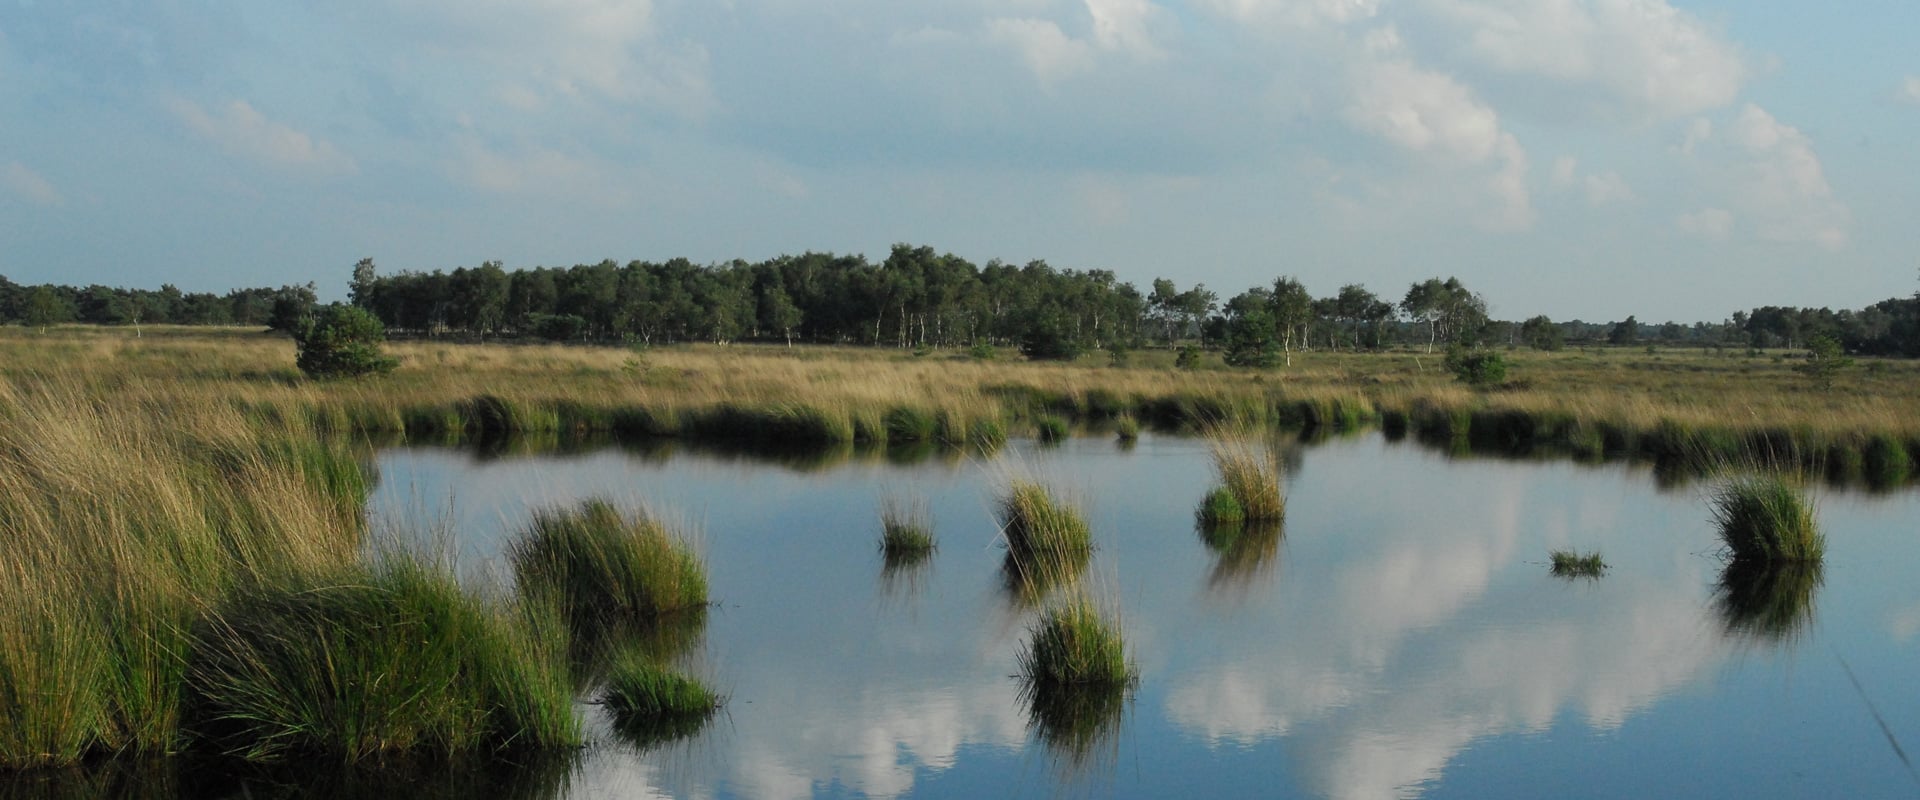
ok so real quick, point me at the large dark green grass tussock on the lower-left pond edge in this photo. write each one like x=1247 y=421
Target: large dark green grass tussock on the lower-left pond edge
x=375 y=663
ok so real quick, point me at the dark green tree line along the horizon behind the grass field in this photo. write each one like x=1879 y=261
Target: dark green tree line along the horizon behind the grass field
x=923 y=298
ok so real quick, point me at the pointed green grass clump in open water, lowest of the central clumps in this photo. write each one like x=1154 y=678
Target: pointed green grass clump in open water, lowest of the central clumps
x=1074 y=646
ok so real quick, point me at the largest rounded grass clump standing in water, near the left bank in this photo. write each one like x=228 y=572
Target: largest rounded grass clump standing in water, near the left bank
x=598 y=563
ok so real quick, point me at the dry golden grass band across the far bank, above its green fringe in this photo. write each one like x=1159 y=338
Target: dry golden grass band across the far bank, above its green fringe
x=1631 y=390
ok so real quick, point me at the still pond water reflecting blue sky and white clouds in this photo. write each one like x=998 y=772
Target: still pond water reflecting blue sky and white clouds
x=1401 y=638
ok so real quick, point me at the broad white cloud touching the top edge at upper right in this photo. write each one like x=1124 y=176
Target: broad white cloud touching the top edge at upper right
x=1643 y=59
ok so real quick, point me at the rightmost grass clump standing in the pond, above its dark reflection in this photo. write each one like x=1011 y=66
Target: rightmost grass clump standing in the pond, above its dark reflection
x=1764 y=519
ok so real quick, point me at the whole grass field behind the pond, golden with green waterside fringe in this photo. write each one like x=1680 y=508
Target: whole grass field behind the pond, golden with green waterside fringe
x=1602 y=402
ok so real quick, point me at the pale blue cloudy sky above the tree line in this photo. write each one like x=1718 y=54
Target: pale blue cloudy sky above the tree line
x=1575 y=158
